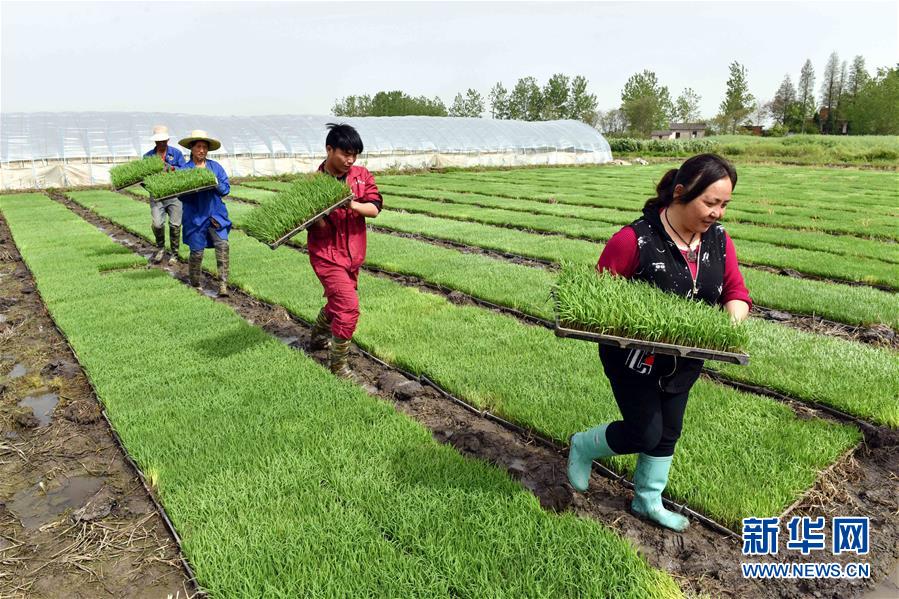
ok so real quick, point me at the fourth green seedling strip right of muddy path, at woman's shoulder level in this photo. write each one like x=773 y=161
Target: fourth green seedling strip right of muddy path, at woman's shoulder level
x=856 y=269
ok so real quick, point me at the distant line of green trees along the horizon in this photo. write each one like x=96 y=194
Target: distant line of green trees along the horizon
x=849 y=100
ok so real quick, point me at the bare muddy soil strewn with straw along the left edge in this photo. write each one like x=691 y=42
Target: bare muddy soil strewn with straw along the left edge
x=75 y=521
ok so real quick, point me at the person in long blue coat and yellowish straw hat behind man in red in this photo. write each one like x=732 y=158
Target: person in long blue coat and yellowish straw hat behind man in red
x=205 y=218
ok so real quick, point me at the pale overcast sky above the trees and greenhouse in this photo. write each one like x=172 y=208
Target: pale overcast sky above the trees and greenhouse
x=296 y=58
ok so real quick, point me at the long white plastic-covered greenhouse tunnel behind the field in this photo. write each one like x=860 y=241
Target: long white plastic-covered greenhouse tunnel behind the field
x=39 y=150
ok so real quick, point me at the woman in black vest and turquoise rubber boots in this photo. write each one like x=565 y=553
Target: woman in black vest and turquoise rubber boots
x=678 y=246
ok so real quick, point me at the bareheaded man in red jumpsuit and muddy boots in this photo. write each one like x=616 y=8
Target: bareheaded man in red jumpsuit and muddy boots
x=337 y=246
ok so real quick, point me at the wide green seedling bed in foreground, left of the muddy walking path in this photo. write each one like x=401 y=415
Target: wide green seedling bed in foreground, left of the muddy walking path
x=284 y=481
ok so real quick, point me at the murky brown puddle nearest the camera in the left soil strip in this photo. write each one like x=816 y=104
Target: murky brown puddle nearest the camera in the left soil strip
x=35 y=507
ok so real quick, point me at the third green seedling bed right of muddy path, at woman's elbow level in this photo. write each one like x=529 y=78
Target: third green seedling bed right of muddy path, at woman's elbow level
x=843 y=303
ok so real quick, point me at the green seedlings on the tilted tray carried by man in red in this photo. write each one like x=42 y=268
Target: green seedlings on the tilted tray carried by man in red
x=289 y=209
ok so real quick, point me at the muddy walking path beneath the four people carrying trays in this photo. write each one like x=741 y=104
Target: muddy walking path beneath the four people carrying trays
x=702 y=559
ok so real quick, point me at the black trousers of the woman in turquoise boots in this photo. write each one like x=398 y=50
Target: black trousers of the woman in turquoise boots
x=652 y=417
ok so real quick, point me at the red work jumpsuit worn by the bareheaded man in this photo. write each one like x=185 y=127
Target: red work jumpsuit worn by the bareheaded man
x=337 y=250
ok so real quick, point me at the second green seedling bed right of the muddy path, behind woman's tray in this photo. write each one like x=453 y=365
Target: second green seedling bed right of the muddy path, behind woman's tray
x=528 y=290
